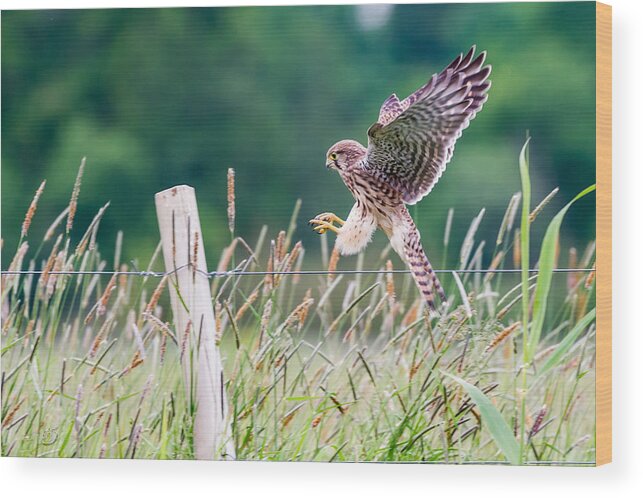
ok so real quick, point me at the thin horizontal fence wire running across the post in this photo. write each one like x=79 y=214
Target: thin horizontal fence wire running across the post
x=229 y=273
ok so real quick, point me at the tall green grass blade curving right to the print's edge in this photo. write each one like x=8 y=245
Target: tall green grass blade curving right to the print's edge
x=546 y=269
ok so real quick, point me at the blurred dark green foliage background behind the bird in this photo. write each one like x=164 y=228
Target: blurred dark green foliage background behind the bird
x=159 y=97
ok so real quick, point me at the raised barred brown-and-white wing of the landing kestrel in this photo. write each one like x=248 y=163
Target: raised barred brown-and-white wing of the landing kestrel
x=413 y=140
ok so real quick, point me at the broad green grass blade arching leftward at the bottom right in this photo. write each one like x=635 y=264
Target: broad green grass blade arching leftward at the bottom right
x=498 y=427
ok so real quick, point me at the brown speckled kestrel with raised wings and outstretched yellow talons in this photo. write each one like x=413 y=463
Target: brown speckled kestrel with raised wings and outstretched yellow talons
x=408 y=149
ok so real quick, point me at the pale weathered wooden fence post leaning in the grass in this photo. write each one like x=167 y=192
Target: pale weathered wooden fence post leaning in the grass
x=191 y=300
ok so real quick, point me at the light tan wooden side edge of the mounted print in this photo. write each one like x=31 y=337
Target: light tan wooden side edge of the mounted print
x=603 y=233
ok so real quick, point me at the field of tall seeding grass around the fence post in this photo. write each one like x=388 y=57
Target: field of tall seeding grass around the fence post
x=317 y=367
